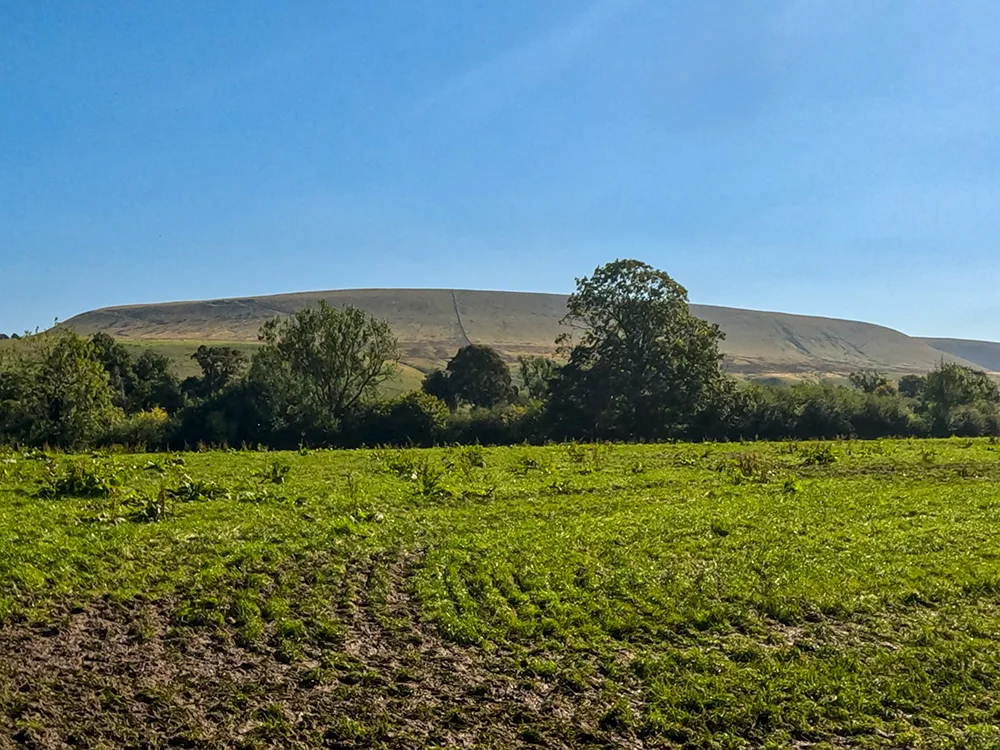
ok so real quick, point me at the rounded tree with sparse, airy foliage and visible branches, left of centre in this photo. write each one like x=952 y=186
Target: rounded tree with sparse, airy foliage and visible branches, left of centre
x=316 y=367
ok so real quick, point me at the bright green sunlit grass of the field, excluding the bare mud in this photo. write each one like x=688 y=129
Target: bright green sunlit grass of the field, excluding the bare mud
x=715 y=595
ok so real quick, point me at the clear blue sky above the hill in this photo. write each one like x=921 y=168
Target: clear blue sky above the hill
x=815 y=156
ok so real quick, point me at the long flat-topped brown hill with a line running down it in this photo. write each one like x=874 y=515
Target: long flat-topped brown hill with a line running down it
x=433 y=323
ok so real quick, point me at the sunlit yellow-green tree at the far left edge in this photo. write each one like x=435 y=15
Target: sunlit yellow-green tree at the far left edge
x=56 y=391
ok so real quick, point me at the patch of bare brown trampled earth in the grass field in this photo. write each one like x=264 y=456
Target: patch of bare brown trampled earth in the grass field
x=115 y=676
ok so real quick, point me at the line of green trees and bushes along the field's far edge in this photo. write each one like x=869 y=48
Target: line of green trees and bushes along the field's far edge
x=634 y=365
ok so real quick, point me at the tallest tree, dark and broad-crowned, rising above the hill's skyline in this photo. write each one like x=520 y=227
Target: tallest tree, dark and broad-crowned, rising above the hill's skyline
x=644 y=367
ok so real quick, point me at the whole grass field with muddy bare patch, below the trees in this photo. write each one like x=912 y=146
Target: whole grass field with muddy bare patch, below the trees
x=723 y=596
